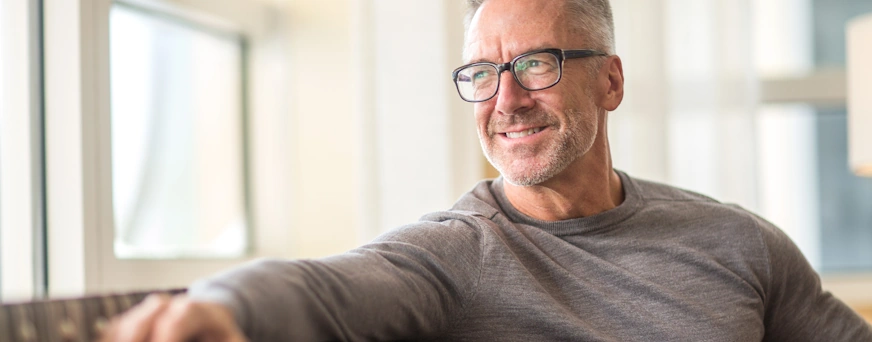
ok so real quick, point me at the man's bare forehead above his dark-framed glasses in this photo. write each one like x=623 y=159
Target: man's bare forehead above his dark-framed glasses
x=513 y=26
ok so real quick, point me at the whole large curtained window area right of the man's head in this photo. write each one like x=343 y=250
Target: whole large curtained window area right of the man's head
x=744 y=101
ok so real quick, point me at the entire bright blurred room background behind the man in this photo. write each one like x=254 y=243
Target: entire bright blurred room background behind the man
x=148 y=143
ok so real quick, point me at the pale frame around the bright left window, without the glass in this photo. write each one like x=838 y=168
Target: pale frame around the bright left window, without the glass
x=80 y=237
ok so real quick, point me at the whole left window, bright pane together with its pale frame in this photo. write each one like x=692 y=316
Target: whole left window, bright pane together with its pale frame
x=182 y=79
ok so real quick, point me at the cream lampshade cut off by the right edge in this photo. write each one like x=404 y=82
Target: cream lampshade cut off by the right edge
x=859 y=60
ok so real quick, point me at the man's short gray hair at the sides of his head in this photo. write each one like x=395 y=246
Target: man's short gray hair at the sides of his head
x=590 y=17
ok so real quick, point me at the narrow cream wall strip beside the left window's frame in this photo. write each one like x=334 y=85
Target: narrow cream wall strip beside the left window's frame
x=320 y=127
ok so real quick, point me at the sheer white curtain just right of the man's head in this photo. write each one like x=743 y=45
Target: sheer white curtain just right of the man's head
x=688 y=114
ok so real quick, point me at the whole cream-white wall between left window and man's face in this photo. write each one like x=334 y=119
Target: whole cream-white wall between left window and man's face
x=371 y=151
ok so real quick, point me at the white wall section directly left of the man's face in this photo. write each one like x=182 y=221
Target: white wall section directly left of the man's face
x=424 y=138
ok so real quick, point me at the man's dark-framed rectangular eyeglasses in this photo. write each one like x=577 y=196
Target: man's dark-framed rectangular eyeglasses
x=534 y=70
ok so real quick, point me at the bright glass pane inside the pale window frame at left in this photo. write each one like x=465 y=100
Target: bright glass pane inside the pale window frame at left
x=178 y=181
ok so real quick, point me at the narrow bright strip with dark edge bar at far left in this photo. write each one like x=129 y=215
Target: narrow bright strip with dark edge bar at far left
x=22 y=195
